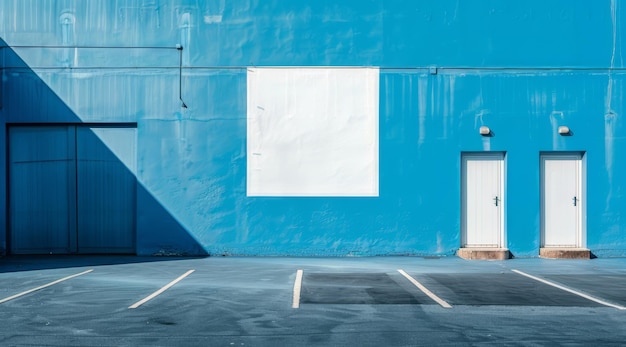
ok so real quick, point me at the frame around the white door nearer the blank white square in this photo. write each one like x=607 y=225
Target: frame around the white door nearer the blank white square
x=502 y=241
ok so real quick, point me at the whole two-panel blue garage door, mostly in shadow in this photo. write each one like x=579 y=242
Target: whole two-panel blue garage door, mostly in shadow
x=72 y=189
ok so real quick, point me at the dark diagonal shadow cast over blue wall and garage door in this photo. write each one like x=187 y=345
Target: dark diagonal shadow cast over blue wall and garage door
x=71 y=187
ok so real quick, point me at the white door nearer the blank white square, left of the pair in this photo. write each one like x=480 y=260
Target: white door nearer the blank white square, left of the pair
x=483 y=200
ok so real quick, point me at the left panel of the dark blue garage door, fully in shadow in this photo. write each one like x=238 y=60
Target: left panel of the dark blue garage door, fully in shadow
x=41 y=170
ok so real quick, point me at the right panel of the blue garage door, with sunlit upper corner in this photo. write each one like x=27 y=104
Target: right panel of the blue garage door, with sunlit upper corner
x=106 y=190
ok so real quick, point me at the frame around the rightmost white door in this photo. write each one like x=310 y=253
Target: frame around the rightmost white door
x=581 y=232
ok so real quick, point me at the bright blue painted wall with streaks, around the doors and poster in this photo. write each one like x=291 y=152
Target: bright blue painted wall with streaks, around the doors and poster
x=447 y=67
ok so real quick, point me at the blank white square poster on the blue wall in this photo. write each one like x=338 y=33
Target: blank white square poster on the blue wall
x=312 y=131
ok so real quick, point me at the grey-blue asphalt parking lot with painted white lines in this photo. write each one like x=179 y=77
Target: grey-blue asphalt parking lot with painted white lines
x=378 y=301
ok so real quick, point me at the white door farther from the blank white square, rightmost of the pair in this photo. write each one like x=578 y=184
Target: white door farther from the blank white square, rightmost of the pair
x=562 y=200
